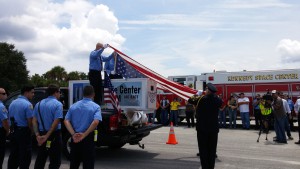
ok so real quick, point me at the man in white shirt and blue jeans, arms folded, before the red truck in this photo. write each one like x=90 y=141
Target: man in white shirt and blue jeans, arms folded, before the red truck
x=243 y=103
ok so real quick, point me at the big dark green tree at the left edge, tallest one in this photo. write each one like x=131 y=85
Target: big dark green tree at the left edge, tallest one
x=13 y=70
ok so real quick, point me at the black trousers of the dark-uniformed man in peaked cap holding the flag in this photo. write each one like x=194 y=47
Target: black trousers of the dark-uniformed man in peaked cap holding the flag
x=207 y=147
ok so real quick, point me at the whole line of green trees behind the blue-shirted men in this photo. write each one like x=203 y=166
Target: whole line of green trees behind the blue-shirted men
x=14 y=73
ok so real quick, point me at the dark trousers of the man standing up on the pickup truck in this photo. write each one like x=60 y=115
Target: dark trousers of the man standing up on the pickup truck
x=96 y=81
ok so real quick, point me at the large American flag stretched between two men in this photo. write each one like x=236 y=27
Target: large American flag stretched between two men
x=129 y=68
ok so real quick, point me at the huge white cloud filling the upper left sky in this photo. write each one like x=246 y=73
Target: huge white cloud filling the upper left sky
x=58 y=33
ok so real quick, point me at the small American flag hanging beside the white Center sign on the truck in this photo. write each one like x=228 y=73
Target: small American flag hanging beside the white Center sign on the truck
x=110 y=95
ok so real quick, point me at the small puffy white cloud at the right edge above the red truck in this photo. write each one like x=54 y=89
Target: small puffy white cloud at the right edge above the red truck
x=289 y=50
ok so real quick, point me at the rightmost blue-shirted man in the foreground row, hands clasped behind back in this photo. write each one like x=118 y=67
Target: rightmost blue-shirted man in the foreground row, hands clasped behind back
x=81 y=121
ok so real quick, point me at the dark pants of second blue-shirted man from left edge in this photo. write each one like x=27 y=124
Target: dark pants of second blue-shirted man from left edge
x=20 y=149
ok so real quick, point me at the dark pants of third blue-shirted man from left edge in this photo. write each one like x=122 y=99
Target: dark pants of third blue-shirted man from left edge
x=54 y=152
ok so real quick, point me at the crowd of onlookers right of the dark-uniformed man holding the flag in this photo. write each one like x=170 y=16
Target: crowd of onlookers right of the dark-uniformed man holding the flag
x=274 y=109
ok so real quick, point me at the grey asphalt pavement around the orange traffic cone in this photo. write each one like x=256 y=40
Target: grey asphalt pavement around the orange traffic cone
x=236 y=149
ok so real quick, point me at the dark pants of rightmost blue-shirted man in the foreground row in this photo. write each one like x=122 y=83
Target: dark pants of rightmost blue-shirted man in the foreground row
x=84 y=152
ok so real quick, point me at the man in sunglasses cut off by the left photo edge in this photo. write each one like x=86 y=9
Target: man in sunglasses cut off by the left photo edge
x=4 y=126
